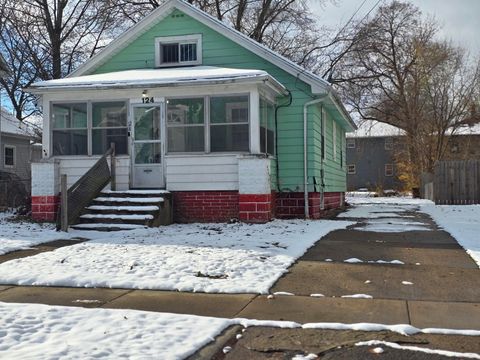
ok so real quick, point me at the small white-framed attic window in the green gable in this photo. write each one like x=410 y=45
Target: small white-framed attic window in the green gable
x=178 y=50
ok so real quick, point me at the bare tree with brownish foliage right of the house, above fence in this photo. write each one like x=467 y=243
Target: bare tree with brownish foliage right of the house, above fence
x=398 y=73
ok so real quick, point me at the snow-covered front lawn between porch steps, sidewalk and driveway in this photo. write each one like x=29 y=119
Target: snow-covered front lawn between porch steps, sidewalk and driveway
x=213 y=258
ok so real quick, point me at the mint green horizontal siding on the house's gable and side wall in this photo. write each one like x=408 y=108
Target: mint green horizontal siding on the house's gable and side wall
x=217 y=50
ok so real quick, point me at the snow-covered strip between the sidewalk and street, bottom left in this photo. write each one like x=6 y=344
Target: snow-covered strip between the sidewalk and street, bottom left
x=32 y=331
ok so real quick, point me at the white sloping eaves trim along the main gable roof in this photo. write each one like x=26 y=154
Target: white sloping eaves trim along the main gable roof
x=318 y=85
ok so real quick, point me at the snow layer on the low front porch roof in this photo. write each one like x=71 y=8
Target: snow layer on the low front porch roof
x=168 y=76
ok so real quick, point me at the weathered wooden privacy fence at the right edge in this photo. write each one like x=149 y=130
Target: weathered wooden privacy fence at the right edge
x=456 y=182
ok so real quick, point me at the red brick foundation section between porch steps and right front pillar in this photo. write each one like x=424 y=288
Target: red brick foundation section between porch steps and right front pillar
x=204 y=206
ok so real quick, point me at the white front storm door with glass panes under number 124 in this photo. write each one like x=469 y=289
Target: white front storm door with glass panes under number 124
x=147 y=146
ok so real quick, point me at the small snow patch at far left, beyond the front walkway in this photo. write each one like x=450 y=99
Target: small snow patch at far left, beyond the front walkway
x=23 y=235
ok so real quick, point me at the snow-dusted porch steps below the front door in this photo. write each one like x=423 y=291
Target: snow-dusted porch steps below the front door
x=127 y=210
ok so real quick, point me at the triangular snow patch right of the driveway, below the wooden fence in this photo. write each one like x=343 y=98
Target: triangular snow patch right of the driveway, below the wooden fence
x=462 y=222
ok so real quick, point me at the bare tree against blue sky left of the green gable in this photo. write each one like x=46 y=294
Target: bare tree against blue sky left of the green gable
x=47 y=39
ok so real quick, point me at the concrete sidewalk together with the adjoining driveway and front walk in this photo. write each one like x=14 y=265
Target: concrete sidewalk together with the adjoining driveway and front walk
x=443 y=288
